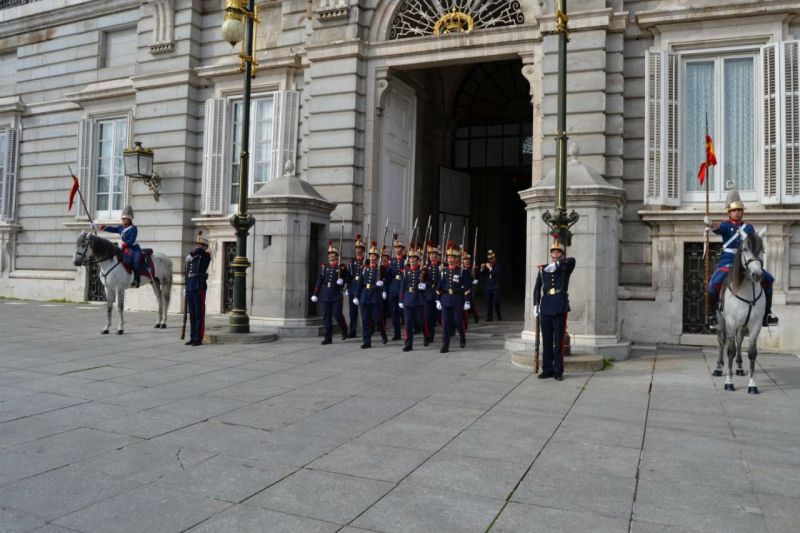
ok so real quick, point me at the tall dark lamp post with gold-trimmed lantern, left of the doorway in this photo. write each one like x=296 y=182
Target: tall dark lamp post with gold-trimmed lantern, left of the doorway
x=240 y=22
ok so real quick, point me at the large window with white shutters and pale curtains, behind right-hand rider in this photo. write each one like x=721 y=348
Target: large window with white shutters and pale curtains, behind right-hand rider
x=748 y=100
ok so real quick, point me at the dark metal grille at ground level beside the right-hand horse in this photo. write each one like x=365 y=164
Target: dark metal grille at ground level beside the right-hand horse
x=694 y=285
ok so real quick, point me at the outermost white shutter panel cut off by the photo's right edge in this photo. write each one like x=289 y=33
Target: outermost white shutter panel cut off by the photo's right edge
x=790 y=121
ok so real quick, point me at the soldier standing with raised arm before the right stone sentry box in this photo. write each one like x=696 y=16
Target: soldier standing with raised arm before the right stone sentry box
x=551 y=304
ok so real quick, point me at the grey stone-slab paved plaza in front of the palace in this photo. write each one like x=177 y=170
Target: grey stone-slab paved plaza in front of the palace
x=140 y=433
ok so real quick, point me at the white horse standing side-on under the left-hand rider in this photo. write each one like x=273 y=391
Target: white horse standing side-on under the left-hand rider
x=116 y=279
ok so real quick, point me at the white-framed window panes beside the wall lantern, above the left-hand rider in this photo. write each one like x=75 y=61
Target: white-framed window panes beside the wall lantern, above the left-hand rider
x=112 y=138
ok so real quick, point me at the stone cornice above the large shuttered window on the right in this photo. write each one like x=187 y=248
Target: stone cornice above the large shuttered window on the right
x=648 y=19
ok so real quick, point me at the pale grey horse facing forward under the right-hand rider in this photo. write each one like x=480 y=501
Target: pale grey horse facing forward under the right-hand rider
x=743 y=309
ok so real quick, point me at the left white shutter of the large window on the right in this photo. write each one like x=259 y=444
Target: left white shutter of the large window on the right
x=661 y=161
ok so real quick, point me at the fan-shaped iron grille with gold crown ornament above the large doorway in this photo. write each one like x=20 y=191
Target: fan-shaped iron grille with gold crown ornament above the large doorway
x=415 y=18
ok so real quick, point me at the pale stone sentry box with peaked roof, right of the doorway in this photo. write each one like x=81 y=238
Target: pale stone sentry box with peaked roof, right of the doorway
x=592 y=323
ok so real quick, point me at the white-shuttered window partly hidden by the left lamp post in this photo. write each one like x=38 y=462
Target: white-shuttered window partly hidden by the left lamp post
x=274 y=121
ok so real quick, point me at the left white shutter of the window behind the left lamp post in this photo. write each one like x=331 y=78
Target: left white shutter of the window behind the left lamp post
x=213 y=160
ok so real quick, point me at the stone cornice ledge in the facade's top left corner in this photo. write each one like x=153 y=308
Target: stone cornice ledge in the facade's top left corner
x=45 y=14
